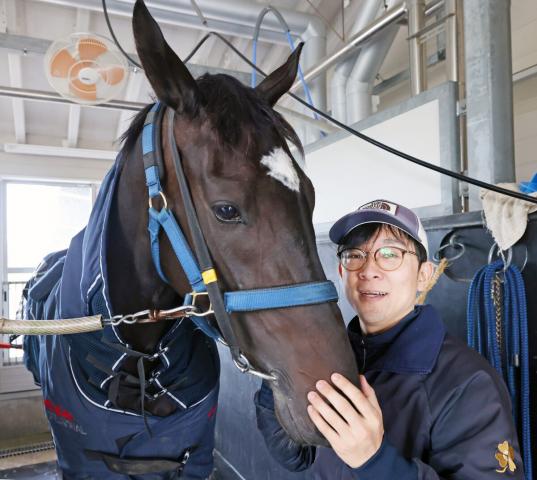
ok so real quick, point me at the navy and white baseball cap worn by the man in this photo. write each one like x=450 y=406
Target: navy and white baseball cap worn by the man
x=380 y=211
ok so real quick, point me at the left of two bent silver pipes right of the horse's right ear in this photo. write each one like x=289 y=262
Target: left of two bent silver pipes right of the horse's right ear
x=368 y=11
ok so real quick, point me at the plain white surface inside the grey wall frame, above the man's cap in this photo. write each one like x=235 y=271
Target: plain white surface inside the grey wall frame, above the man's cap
x=351 y=172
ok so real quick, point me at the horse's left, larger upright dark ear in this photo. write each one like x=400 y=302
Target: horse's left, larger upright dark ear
x=165 y=71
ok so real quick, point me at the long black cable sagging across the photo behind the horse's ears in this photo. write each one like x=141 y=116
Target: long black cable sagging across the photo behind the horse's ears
x=458 y=176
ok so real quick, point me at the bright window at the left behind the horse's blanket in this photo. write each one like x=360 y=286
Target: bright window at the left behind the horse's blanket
x=36 y=219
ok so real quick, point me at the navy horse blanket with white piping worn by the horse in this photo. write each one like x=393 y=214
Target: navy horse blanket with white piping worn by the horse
x=79 y=374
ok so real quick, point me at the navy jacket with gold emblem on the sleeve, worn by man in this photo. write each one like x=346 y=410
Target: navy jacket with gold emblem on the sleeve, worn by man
x=446 y=411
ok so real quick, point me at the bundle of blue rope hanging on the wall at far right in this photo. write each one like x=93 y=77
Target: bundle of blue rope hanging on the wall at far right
x=513 y=364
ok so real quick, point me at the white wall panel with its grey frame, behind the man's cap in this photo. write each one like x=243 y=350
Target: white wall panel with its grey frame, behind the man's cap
x=347 y=171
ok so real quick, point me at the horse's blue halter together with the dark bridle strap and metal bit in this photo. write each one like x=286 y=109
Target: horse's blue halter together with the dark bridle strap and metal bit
x=199 y=269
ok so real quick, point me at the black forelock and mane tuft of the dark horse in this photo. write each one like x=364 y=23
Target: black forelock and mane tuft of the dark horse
x=229 y=104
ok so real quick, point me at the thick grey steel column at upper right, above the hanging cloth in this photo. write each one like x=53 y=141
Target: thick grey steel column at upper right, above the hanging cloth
x=489 y=93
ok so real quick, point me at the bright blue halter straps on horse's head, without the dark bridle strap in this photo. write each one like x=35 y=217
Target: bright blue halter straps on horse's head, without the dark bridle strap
x=241 y=301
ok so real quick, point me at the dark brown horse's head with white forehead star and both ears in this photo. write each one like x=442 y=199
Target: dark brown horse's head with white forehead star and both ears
x=254 y=204
